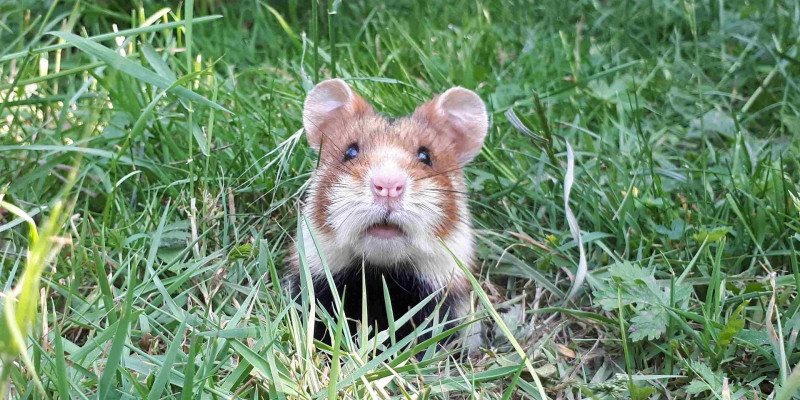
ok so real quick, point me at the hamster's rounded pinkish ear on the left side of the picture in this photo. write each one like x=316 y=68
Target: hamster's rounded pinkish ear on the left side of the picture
x=330 y=101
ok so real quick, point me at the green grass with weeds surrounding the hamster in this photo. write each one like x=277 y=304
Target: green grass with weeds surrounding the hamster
x=175 y=155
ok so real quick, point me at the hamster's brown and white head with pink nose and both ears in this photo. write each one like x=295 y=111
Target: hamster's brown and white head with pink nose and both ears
x=388 y=189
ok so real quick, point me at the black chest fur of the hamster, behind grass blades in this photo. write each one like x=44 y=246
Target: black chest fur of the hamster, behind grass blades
x=405 y=291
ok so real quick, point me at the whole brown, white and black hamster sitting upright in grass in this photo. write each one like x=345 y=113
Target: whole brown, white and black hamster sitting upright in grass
x=382 y=195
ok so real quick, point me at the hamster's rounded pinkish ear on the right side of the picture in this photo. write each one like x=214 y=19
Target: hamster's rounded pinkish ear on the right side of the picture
x=461 y=115
